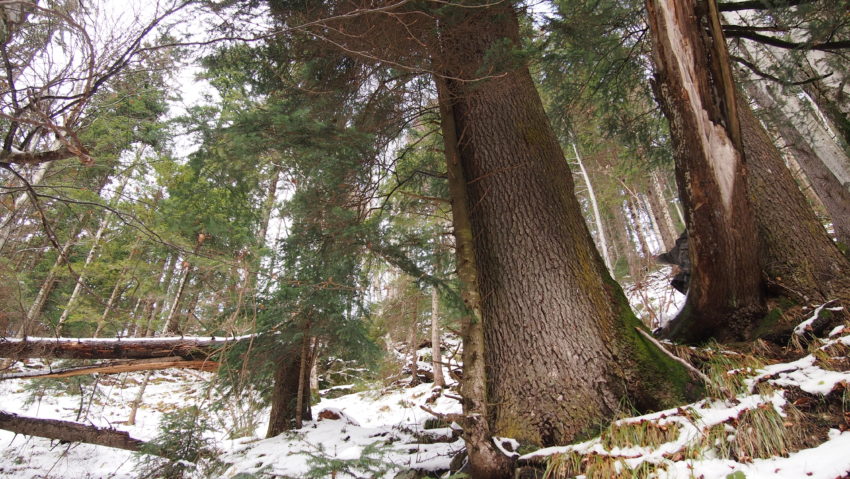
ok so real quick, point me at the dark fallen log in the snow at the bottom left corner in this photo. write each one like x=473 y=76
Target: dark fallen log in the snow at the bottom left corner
x=69 y=431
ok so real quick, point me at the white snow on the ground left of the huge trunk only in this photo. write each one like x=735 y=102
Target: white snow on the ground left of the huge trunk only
x=384 y=425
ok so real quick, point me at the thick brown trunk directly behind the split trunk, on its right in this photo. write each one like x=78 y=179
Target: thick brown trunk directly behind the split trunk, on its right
x=799 y=257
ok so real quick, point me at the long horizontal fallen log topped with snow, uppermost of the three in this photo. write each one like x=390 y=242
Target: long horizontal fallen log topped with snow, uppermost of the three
x=188 y=348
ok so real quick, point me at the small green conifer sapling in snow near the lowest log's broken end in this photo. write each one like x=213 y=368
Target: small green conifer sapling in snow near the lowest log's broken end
x=182 y=445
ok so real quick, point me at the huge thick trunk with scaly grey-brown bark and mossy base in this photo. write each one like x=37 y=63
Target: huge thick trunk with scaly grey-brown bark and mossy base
x=540 y=276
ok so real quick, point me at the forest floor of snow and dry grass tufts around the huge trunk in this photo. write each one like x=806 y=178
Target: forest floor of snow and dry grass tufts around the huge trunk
x=768 y=414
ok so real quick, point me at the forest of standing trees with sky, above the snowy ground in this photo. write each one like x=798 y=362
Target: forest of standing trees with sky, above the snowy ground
x=347 y=181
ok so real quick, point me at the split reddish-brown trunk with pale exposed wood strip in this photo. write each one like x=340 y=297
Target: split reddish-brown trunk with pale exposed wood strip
x=694 y=85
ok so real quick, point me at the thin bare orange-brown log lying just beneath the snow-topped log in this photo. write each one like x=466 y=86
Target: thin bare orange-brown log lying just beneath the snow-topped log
x=118 y=366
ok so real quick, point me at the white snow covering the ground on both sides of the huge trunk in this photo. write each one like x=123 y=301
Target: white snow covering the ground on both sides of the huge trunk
x=380 y=432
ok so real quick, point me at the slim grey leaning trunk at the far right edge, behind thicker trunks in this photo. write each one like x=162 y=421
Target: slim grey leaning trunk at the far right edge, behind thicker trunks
x=833 y=195
